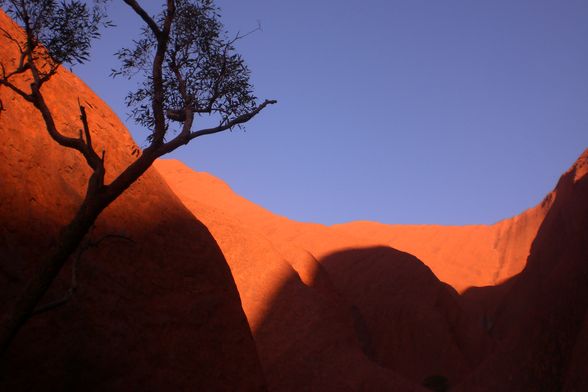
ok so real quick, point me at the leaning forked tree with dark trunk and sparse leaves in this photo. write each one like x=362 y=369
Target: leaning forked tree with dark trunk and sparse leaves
x=189 y=69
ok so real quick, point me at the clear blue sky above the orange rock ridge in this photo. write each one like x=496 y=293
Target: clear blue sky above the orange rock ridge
x=412 y=112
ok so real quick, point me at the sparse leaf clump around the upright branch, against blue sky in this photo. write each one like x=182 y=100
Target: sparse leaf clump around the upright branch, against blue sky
x=201 y=69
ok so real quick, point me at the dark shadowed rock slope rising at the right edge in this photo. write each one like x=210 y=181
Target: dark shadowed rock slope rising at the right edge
x=541 y=320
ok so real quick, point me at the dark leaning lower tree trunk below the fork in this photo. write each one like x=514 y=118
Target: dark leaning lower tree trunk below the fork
x=69 y=239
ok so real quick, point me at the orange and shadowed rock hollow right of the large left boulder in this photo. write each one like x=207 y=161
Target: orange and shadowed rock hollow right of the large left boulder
x=367 y=306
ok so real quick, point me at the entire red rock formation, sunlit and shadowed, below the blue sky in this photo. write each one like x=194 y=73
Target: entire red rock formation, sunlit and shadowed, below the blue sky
x=341 y=308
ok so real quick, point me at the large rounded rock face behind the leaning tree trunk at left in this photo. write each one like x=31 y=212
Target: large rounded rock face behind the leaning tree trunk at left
x=159 y=313
